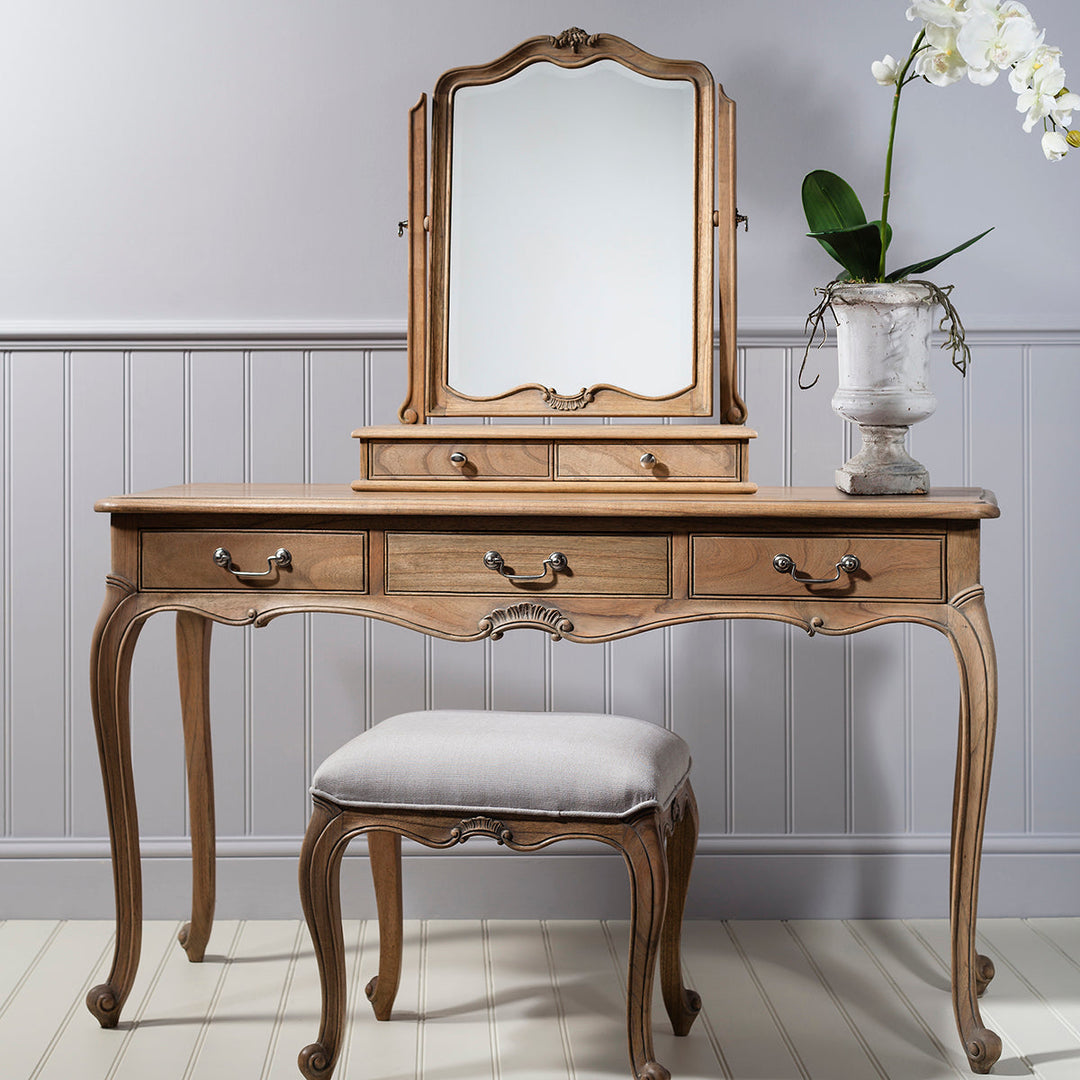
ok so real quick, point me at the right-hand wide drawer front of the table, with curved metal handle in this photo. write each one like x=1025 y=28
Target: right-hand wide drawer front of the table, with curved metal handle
x=890 y=568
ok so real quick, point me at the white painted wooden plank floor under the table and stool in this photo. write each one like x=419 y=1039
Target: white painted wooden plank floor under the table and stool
x=541 y=1001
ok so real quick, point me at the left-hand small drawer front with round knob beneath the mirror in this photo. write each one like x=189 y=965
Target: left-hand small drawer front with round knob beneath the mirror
x=483 y=461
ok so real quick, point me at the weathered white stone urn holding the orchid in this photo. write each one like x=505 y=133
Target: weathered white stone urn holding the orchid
x=883 y=341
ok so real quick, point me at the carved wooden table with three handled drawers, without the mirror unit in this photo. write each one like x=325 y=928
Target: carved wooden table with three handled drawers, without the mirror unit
x=630 y=563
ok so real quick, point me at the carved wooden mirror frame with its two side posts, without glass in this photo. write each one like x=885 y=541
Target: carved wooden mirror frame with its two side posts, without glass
x=429 y=391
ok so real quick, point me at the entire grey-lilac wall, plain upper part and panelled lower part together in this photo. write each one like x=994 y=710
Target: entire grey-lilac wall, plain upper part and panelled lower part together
x=194 y=198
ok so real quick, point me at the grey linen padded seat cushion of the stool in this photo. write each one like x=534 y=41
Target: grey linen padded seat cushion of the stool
x=563 y=765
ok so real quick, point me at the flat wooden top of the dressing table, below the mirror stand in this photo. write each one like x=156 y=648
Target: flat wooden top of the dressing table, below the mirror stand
x=940 y=504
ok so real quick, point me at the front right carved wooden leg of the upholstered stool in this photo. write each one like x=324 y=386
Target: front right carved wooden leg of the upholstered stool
x=644 y=850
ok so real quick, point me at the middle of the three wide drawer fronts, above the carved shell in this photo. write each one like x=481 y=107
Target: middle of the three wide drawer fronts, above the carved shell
x=596 y=565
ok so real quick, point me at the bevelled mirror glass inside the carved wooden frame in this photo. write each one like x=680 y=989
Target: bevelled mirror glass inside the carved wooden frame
x=572 y=233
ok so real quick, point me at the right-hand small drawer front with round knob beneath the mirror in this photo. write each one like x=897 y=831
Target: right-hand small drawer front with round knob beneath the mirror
x=674 y=462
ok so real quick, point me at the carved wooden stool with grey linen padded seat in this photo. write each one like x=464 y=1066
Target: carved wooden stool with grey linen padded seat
x=526 y=780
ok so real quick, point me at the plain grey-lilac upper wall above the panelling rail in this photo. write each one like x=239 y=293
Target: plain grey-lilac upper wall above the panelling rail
x=246 y=160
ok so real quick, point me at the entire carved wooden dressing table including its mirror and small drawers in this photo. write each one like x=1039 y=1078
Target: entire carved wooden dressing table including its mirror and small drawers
x=584 y=532
